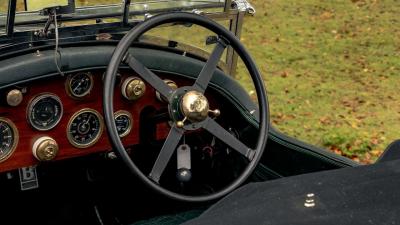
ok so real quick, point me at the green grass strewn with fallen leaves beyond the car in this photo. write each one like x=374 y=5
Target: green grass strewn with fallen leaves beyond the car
x=332 y=70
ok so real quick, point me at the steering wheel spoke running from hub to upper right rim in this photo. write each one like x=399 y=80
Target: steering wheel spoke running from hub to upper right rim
x=209 y=68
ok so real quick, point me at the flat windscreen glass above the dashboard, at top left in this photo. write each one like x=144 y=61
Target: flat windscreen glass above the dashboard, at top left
x=109 y=10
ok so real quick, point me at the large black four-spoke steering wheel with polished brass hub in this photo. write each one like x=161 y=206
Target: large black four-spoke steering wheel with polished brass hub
x=188 y=107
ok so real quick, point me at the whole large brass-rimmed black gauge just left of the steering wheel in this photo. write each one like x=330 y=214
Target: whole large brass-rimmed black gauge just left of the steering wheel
x=85 y=128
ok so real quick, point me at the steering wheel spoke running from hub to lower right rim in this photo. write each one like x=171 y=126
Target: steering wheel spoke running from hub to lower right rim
x=215 y=129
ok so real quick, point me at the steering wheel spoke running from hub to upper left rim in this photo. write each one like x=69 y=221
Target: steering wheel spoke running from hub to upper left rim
x=149 y=76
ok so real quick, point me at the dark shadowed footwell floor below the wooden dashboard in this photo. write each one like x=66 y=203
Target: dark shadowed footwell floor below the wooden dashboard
x=84 y=191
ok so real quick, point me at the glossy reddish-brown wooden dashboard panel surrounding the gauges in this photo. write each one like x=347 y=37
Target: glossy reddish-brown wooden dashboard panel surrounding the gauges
x=22 y=156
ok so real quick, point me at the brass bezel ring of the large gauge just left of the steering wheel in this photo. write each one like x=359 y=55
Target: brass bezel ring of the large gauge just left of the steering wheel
x=96 y=139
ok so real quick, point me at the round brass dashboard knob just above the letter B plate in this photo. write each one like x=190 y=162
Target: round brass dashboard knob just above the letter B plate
x=45 y=149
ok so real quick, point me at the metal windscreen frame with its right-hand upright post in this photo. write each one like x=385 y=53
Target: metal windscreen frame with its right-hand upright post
x=25 y=32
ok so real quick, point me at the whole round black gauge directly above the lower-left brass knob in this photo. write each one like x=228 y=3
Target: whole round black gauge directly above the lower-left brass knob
x=45 y=112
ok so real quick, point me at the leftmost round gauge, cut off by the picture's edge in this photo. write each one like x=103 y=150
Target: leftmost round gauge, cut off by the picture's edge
x=8 y=138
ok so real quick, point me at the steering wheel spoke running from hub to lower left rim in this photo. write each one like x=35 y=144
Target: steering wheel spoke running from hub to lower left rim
x=168 y=149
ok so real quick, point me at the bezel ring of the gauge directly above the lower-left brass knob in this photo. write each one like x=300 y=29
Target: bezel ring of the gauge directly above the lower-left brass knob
x=34 y=101
